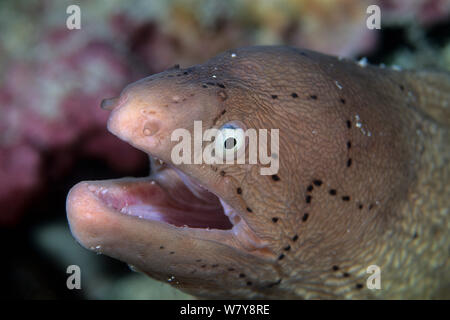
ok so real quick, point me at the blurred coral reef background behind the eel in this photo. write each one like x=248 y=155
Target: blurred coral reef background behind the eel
x=53 y=133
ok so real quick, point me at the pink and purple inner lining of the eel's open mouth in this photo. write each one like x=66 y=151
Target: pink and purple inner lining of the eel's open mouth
x=168 y=195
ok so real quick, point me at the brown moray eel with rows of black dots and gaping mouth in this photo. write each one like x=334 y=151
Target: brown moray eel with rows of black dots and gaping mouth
x=363 y=180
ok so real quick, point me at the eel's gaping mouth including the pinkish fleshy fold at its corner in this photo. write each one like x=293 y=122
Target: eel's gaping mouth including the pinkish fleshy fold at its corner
x=166 y=198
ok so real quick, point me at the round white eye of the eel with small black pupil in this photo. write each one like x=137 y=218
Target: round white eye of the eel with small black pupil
x=230 y=140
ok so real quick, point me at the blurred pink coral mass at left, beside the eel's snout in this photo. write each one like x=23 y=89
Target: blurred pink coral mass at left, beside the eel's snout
x=51 y=103
